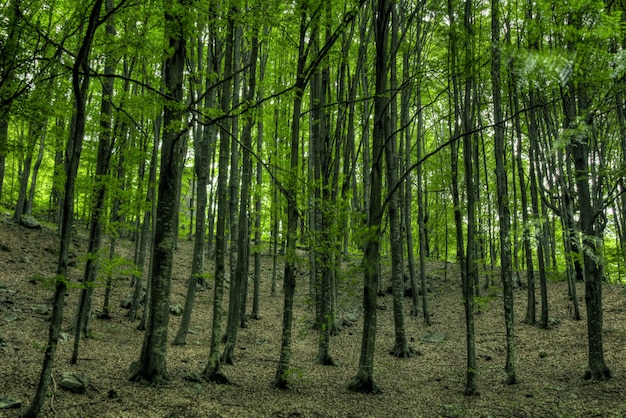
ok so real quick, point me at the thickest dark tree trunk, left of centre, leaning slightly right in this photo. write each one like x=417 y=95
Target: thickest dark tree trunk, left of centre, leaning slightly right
x=152 y=363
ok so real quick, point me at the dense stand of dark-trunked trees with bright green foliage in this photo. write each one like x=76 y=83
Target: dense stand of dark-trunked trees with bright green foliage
x=480 y=132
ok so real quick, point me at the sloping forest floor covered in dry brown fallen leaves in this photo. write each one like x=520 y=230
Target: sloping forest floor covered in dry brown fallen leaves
x=550 y=362
